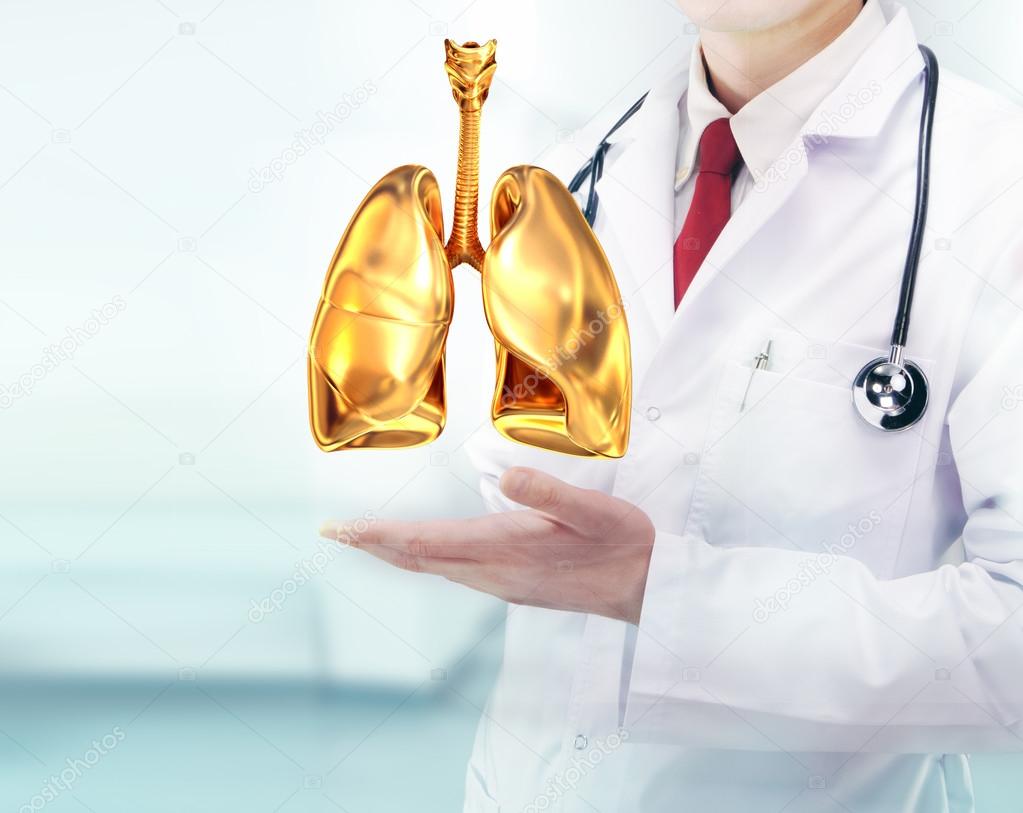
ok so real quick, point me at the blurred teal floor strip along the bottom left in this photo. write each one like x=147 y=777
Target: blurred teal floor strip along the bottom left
x=189 y=747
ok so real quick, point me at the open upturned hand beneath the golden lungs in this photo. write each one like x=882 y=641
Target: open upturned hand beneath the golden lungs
x=573 y=550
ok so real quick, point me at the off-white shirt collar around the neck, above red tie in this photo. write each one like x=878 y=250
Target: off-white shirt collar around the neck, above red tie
x=767 y=125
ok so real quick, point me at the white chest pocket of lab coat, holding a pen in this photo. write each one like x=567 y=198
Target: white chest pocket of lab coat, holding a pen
x=795 y=467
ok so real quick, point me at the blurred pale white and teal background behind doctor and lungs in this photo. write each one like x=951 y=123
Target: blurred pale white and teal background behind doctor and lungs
x=174 y=177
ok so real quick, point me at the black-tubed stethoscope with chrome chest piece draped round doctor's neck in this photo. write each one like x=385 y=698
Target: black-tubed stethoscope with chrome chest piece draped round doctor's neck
x=889 y=392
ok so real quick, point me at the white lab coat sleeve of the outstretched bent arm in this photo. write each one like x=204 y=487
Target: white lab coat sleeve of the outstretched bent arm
x=929 y=663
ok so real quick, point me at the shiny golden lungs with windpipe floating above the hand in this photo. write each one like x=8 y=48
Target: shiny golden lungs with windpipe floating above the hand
x=377 y=350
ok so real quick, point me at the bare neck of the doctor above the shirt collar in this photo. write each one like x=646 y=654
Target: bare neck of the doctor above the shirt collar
x=744 y=64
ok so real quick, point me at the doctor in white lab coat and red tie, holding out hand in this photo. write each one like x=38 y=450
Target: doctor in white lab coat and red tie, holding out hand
x=769 y=605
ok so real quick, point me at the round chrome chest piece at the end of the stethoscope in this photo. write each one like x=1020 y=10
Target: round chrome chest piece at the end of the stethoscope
x=889 y=395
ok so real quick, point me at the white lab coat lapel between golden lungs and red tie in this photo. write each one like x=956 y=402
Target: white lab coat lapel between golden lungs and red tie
x=638 y=202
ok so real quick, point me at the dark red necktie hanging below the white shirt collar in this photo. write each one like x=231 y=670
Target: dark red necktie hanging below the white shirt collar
x=711 y=205
